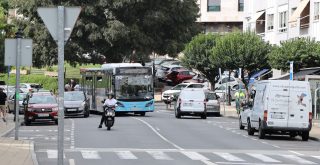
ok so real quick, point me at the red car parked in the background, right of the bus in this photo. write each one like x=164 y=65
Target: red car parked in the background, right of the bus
x=176 y=77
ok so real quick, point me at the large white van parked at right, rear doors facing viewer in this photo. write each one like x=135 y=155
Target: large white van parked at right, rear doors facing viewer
x=281 y=106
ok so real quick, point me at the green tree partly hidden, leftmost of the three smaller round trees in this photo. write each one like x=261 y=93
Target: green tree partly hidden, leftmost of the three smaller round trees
x=198 y=55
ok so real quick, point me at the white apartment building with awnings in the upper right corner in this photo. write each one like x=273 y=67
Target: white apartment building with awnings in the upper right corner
x=279 y=20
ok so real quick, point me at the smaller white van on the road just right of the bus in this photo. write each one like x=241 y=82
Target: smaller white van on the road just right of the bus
x=191 y=101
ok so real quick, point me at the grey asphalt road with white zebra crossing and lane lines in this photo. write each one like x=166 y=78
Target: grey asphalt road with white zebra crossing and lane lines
x=160 y=139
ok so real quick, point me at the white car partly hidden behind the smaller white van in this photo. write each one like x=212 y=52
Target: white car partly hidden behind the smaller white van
x=168 y=95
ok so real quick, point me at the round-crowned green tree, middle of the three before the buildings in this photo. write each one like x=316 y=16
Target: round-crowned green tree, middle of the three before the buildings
x=242 y=50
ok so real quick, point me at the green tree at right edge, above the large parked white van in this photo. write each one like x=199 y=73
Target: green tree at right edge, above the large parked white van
x=304 y=52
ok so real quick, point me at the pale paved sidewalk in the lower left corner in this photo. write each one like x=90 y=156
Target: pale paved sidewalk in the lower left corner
x=15 y=152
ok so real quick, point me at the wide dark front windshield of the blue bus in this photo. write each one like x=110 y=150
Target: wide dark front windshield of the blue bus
x=134 y=87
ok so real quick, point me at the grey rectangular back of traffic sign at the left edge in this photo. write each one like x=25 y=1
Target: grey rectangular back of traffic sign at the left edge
x=11 y=52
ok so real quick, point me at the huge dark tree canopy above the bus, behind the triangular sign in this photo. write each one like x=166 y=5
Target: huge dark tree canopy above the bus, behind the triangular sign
x=113 y=29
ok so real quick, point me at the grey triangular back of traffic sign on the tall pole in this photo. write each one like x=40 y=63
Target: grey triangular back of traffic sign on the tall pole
x=50 y=19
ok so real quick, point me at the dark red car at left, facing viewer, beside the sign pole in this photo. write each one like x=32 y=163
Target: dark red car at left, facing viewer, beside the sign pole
x=40 y=106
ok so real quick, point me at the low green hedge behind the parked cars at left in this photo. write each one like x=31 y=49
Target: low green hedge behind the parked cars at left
x=49 y=83
